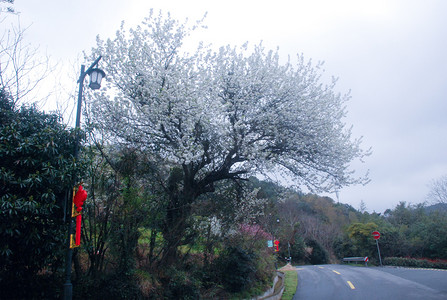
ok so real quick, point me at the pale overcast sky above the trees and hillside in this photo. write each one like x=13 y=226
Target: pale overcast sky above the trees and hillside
x=391 y=54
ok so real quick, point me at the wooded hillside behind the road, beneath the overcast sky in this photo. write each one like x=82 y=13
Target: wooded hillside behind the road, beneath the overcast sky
x=319 y=230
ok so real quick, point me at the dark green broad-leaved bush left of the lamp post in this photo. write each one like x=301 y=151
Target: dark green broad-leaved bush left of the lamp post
x=36 y=172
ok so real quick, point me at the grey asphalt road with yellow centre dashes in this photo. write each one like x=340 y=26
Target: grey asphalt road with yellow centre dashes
x=349 y=282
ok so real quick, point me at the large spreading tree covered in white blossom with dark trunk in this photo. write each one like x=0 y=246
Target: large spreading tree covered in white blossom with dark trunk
x=212 y=116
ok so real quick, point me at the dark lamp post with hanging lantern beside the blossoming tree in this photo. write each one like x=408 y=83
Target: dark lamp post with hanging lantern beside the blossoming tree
x=96 y=75
